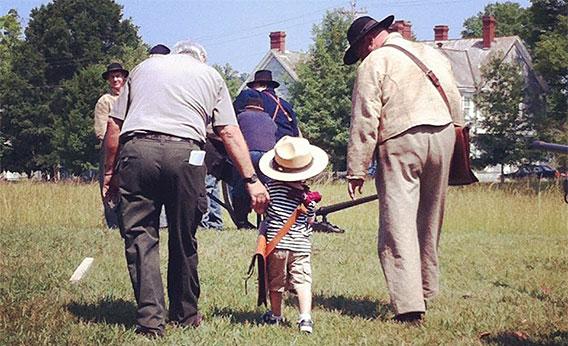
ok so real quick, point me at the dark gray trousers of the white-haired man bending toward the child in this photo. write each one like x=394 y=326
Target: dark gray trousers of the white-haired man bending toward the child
x=156 y=172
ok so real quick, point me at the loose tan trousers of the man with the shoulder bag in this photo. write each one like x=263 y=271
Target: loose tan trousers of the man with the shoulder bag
x=412 y=180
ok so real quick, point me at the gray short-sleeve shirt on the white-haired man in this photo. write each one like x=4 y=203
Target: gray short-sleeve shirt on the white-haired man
x=174 y=94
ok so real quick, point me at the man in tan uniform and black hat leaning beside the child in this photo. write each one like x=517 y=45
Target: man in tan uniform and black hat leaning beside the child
x=399 y=114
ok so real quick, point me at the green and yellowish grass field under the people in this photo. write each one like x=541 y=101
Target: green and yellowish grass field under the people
x=504 y=263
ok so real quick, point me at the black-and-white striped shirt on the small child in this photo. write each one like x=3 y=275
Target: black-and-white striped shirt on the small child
x=284 y=199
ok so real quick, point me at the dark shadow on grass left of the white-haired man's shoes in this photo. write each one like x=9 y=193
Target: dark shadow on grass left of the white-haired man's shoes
x=118 y=311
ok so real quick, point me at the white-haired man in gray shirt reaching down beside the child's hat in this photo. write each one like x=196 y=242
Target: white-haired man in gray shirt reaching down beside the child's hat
x=160 y=121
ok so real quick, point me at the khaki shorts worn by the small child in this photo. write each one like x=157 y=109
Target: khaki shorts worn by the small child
x=288 y=270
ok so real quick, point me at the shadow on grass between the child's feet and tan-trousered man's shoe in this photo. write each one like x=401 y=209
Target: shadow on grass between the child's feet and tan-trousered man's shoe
x=355 y=307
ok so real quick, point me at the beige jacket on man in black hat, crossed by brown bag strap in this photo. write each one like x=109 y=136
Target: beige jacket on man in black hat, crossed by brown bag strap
x=392 y=94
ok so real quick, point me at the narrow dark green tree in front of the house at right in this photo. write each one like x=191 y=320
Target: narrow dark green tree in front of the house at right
x=505 y=125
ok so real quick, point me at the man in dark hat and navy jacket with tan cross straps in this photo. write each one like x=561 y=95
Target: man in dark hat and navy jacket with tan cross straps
x=279 y=109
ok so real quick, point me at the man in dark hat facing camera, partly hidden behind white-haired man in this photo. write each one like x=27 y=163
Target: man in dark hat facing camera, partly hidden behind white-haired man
x=116 y=76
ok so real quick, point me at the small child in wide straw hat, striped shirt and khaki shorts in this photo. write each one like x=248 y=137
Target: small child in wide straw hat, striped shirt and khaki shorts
x=289 y=164
